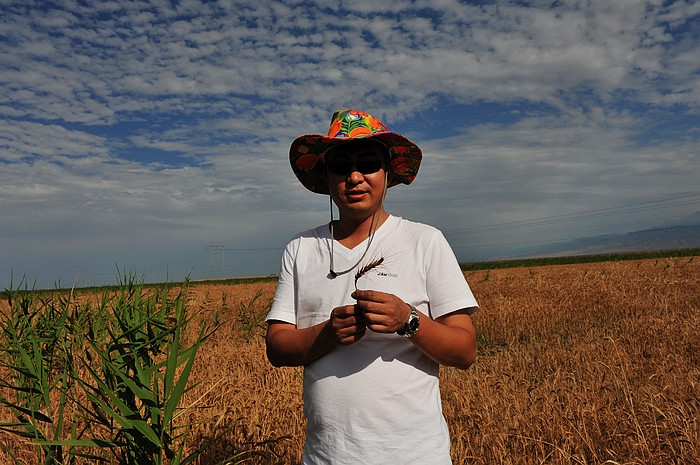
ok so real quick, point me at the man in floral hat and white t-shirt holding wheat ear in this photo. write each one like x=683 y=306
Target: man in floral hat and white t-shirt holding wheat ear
x=370 y=304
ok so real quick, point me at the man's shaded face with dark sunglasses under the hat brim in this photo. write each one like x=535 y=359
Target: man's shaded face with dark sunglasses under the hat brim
x=356 y=177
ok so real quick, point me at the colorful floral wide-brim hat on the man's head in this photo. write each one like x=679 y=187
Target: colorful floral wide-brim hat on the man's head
x=306 y=153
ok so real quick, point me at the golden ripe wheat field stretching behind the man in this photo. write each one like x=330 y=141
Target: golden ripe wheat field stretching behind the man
x=577 y=364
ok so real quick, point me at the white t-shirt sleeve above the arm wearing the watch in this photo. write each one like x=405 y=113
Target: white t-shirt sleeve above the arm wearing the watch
x=447 y=288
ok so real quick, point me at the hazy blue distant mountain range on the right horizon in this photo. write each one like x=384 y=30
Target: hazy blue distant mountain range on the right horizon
x=681 y=234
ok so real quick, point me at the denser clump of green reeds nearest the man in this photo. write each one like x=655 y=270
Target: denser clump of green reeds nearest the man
x=141 y=376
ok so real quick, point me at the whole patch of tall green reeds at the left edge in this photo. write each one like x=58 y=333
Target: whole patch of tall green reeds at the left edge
x=100 y=383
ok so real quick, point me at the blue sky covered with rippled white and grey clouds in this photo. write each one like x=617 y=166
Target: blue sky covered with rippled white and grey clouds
x=153 y=136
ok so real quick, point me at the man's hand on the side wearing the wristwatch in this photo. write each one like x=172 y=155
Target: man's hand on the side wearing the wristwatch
x=384 y=313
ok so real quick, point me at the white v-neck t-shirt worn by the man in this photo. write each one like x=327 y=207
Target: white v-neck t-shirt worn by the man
x=376 y=401
